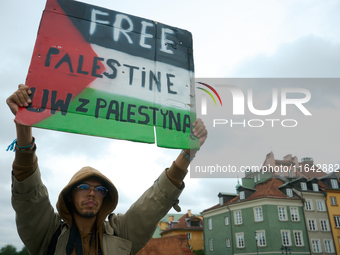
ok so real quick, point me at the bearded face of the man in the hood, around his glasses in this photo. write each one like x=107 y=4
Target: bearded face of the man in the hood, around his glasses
x=87 y=206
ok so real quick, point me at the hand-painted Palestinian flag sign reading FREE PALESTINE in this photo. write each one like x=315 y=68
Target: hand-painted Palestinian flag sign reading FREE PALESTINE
x=100 y=72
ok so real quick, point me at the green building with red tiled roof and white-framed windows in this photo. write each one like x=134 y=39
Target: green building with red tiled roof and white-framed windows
x=259 y=220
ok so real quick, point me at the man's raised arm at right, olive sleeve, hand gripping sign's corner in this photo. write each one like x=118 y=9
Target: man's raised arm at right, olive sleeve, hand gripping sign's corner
x=157 y=200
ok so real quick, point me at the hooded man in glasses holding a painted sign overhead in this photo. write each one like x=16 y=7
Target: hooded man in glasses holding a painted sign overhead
x=79 y=227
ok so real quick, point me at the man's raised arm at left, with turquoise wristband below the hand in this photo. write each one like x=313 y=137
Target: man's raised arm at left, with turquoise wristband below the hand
x=35 y=217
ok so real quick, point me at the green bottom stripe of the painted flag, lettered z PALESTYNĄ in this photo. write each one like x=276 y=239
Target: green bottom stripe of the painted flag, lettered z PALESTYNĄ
x=99 y=113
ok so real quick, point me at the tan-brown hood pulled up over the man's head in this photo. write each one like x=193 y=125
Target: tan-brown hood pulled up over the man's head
x=109 y=203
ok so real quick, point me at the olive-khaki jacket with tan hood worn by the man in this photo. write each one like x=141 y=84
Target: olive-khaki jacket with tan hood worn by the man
x=120 y=234
